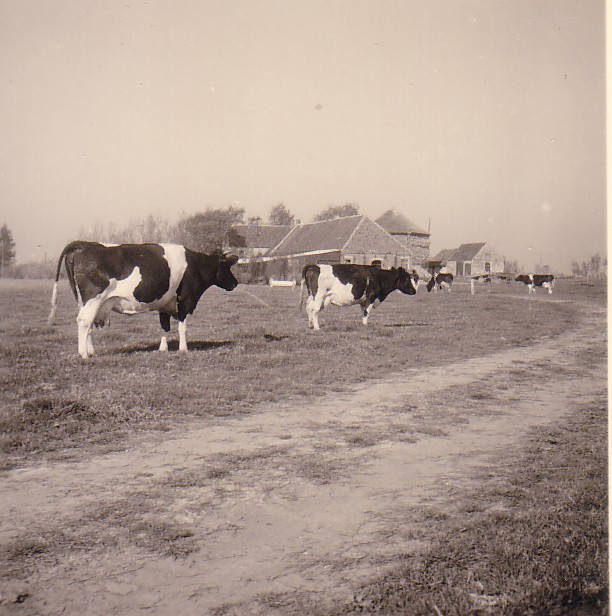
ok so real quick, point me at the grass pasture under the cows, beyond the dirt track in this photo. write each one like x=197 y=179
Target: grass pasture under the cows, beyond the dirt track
x=245 y=350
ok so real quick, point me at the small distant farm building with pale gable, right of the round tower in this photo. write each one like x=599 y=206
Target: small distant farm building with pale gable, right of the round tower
x=468 y=260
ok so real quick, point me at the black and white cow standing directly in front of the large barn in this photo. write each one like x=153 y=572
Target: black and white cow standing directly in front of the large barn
x=345 y=284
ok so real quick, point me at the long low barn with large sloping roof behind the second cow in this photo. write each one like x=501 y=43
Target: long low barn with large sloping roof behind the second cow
x=351 y=239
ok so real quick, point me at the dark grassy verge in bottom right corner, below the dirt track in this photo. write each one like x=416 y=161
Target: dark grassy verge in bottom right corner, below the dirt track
x=534 y=542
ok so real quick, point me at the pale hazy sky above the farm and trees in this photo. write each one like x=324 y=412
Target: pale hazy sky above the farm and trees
x=486 y=117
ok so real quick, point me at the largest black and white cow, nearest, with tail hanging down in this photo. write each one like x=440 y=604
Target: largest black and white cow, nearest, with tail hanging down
x=135 y=278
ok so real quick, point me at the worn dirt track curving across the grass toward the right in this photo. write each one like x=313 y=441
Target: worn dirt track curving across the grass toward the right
x=292 y=499
